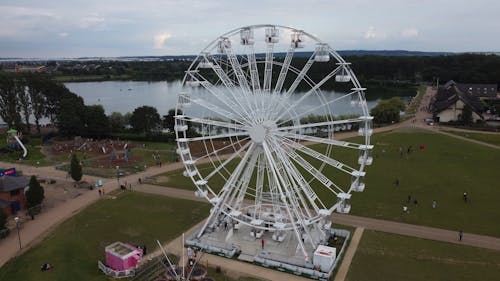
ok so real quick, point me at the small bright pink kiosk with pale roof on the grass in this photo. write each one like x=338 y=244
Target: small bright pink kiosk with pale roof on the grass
x=121 y=256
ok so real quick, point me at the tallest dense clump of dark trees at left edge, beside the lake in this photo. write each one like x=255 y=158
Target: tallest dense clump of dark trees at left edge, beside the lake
x=27 y=95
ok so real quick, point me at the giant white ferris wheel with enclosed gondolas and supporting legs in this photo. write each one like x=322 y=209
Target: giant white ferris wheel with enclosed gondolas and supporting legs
x=257 y=128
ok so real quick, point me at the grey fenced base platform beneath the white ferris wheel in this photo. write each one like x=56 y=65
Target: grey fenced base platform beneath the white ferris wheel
x=281 y=255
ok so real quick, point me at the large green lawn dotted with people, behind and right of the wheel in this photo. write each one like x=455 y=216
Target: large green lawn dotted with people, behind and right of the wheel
x=445 y=169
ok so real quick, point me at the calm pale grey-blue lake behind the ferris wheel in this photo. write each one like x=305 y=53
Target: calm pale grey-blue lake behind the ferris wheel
x=125 y=96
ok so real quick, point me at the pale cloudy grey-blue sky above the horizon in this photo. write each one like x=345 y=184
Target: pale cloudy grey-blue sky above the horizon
x=109 y=28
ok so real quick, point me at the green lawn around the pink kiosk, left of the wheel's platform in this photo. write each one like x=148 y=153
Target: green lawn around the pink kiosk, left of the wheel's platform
x=75 y=246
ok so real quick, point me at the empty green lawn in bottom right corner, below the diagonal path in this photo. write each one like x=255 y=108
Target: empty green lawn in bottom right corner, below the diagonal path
x=382 y=256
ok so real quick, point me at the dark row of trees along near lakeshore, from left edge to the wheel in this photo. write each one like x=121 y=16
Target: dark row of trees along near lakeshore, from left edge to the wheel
x=25 y=97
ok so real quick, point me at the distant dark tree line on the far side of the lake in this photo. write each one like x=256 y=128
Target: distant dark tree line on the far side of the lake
x=466 y=68
